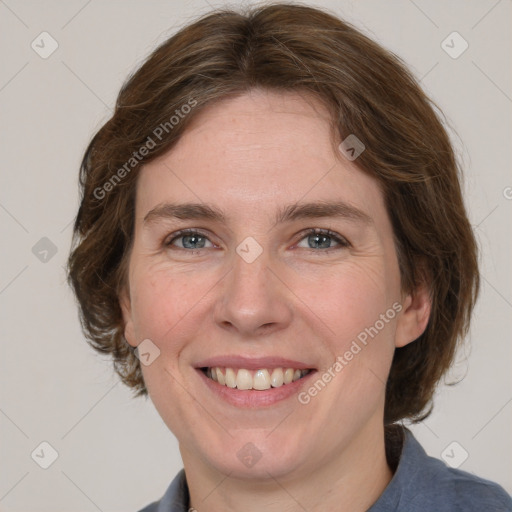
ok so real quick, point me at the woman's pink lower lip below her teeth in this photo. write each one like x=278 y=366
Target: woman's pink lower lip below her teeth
x=252 y=398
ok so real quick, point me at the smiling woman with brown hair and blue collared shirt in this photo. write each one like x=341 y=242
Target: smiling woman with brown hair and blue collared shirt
x=272 y=244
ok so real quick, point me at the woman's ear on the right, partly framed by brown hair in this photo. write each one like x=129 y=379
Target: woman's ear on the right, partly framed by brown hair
x=413 y=320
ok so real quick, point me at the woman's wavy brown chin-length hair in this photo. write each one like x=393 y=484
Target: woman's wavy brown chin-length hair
x=368 y=91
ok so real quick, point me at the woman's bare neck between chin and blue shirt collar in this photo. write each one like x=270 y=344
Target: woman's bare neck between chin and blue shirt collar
x=351 y=480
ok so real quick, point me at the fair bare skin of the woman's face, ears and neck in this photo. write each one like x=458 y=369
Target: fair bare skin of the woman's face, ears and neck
x=249 y=156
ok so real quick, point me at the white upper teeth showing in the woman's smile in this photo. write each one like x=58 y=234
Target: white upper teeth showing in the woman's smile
x=262 y=379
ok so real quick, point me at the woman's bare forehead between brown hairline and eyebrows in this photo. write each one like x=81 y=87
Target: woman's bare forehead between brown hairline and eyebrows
x=254 y=153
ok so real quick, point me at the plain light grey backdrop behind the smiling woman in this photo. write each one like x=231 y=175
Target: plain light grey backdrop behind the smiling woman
x=114 y=452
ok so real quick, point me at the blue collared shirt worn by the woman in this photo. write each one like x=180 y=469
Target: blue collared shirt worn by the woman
x=420 y=484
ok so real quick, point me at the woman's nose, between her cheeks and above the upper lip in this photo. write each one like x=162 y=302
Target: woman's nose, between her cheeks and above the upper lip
x=253 y=299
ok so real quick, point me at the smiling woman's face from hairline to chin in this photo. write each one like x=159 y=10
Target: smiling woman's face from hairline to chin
x=252 y=287
